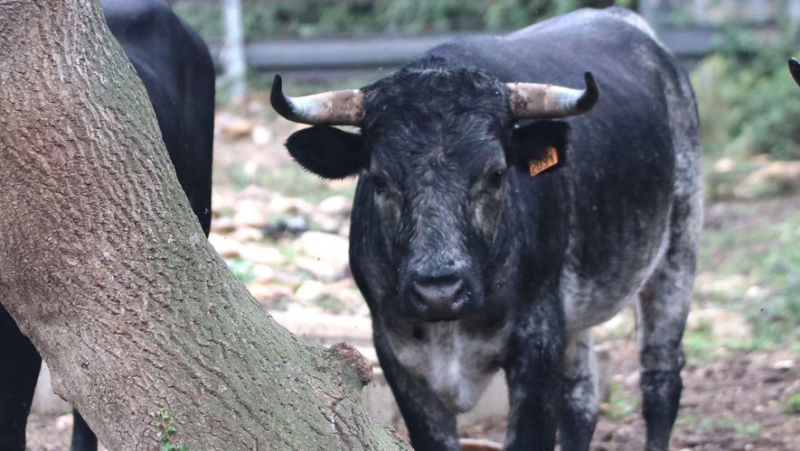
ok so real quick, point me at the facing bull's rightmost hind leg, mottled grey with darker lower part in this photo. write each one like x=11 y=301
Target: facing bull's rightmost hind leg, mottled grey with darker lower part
x=661 y=316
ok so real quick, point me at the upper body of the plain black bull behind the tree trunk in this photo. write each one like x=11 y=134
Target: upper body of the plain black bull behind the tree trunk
x=176 y=68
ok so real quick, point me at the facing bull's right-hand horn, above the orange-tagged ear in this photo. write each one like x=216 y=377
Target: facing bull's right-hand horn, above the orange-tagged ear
x=536 y=100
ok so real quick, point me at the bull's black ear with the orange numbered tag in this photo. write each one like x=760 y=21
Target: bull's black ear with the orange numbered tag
x=540 y=147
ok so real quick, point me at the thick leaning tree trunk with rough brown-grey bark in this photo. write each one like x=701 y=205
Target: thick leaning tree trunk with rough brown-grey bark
x=105 y=268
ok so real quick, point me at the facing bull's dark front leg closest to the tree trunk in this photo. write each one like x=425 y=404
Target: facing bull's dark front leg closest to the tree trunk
x=431 y=426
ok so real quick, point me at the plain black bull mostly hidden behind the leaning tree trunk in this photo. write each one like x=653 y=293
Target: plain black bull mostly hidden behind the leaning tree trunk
x=176 y=69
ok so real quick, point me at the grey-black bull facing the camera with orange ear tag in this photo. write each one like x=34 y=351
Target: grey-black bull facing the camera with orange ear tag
x=485 y=238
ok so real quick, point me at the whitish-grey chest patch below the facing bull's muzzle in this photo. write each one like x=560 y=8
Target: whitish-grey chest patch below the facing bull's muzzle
x=457 y=366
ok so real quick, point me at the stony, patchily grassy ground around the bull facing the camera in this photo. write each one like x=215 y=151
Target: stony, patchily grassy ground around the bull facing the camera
x=284 y=233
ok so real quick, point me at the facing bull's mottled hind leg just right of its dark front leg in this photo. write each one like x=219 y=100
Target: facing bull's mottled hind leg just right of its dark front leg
x=579 y=414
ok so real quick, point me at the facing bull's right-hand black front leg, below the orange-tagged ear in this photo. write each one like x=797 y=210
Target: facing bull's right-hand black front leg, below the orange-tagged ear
x=535 y=376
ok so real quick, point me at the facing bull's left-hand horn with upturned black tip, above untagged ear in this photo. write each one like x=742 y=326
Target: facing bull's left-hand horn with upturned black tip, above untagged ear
x=328 y=108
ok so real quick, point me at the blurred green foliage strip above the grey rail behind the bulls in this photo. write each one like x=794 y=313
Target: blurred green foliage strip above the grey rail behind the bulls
x=362 y=17
